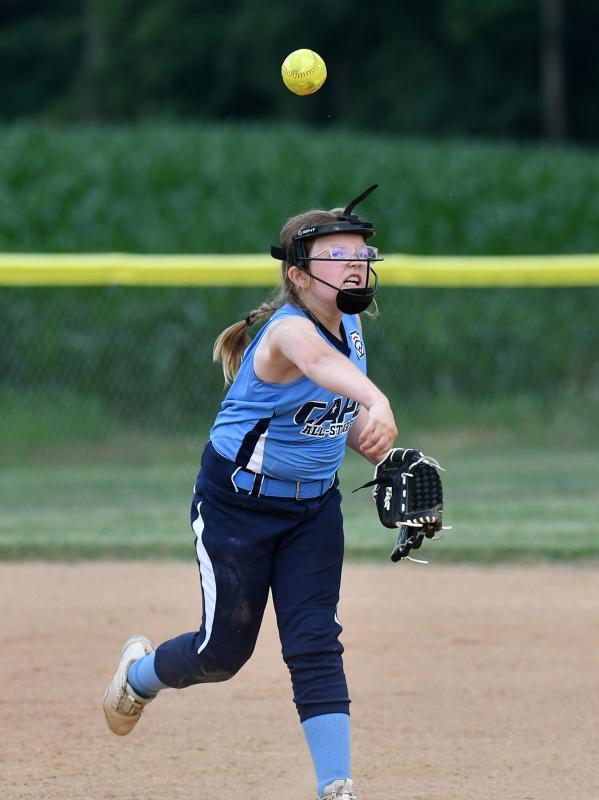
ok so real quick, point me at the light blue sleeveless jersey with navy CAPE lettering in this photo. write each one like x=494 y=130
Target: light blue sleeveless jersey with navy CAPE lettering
x=292 y=431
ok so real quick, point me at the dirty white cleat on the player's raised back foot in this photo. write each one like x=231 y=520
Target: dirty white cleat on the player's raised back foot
x=122 y=706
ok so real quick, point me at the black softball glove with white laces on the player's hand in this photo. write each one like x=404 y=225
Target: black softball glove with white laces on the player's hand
x=408 y=494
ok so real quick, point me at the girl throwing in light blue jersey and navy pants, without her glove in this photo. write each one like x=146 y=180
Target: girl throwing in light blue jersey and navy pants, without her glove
x=266 y=510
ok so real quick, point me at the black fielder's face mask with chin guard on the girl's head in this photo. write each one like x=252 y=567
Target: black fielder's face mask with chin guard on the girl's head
x=349 y=301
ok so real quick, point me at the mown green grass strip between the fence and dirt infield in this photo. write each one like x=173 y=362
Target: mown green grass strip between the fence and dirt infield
x=507 y=498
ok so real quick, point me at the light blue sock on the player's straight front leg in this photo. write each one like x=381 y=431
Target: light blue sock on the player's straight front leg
x=328 y=739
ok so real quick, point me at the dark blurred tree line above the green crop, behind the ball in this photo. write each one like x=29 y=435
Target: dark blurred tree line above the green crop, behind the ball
x=521 y=69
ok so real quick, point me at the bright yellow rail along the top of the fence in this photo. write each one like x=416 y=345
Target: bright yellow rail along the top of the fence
x=125 y=269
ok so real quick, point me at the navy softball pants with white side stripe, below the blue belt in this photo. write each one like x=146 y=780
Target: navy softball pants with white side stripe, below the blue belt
x=245 y=547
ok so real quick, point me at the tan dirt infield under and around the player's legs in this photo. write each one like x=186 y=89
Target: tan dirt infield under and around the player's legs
x=467 y=684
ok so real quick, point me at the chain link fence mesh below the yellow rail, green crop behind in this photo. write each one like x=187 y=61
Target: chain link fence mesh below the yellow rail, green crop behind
x=88 y=363
